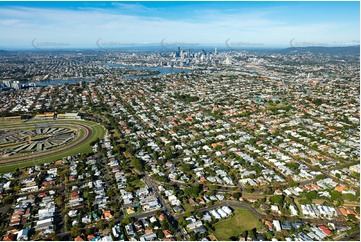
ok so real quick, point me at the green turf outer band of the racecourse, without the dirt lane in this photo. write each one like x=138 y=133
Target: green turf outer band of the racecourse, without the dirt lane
x=97 y=132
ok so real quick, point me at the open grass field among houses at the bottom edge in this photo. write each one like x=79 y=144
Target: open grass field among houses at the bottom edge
x=242 y=220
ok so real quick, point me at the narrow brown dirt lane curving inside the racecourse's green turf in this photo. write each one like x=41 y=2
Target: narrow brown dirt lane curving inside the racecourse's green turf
x=88 y=133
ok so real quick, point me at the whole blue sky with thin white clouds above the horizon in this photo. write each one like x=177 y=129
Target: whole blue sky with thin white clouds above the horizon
x=44 y=25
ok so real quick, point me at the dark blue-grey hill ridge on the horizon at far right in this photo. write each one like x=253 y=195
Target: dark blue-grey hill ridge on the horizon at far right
x=325 y=50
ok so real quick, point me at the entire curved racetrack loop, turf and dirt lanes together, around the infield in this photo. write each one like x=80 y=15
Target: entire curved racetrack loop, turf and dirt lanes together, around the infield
x=87 y=132
